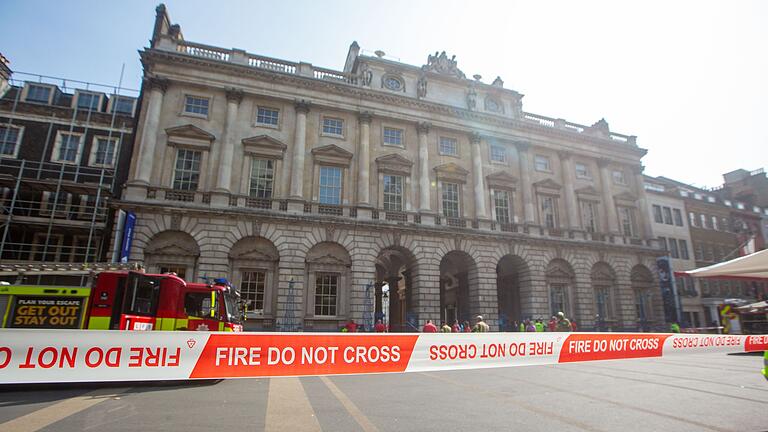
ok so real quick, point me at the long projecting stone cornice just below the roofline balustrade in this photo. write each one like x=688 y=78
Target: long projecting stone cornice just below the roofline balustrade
x=148 y=56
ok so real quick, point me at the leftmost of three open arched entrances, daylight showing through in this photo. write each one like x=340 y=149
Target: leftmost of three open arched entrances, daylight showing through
x=392 y=303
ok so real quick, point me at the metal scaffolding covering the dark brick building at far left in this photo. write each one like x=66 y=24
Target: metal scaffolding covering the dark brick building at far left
x=54 y=210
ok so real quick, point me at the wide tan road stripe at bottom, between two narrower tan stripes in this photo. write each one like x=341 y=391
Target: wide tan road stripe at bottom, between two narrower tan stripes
x=288 y=408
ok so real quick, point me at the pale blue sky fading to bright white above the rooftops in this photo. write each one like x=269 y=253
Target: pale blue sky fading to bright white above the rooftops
x=688 y=78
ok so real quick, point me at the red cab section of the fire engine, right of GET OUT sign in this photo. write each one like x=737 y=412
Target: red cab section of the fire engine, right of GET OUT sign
x=139 y=301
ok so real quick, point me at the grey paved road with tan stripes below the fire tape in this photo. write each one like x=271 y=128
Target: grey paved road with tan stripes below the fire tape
x=711 y=392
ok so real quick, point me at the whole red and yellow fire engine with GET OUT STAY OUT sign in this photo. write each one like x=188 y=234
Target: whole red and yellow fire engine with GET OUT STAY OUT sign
x=120 y=299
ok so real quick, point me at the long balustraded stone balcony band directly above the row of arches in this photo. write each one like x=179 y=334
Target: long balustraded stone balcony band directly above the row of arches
x=287 y=207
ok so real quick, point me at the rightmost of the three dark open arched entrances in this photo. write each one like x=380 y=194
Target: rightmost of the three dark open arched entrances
x=510 y=273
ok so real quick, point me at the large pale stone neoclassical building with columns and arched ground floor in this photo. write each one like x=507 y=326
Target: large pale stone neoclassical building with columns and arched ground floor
x=312 y=189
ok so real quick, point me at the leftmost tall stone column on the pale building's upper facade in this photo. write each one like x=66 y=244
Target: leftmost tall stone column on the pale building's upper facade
x=148 y=141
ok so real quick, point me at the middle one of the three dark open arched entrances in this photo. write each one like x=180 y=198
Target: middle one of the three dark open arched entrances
x=457 y=271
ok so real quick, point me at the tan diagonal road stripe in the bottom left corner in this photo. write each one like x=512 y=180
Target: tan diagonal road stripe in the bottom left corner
x=43 y=417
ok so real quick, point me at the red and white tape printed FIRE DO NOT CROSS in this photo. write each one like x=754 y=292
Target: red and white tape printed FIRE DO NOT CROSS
x=42 y=356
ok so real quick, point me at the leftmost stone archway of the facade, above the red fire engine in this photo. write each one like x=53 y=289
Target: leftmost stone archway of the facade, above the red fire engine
x=172 y=252
